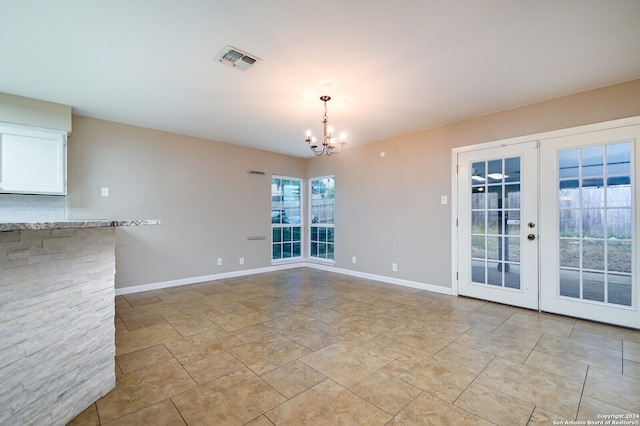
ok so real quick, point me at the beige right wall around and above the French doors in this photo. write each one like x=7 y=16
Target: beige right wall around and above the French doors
x=388 y=209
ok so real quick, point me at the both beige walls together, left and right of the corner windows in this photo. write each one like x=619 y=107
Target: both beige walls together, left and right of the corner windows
x=388 y=208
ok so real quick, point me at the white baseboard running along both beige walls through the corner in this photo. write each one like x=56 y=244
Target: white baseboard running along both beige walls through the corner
x=281 y=267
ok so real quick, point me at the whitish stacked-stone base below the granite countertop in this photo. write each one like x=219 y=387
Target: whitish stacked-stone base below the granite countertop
x=57 y=332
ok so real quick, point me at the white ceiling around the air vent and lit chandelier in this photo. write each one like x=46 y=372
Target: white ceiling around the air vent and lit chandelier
x=391 y=67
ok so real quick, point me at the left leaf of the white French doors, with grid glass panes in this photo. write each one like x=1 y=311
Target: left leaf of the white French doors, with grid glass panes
x=497 y=224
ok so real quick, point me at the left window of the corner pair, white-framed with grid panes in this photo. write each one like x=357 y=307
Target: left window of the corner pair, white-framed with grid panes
x=286 y=229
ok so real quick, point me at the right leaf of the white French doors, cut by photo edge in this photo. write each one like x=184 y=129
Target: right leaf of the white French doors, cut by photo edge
x=588 y=204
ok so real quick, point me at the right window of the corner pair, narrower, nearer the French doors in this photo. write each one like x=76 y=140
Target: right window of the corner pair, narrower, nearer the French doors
x=322 y=213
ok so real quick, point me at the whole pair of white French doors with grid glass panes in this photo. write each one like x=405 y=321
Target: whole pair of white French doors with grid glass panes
x=552 y=225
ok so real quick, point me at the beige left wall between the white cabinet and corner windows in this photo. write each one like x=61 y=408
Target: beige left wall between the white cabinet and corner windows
x=200 y=189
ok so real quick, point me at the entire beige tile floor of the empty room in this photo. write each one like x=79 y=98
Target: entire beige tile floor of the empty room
x=308 y=347
